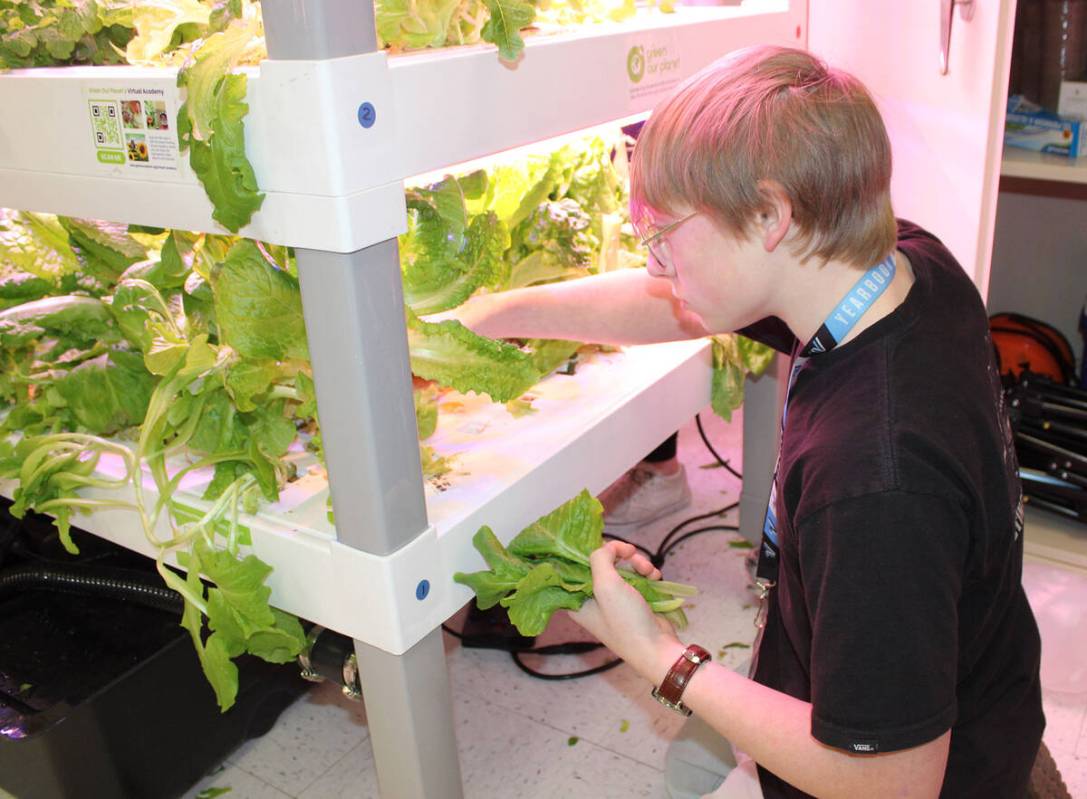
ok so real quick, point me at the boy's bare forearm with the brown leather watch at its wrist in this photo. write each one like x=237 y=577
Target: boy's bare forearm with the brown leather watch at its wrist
x=774 y=730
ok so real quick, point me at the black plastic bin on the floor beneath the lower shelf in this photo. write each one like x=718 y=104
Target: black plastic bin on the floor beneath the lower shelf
x=103 y=697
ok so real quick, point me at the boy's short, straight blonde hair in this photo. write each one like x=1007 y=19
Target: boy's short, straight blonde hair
x=773 y=114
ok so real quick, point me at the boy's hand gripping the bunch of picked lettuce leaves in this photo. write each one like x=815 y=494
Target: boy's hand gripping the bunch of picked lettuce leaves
x=622 y=619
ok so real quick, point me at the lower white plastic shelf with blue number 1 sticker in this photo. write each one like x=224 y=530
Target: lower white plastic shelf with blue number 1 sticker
x=588 y=430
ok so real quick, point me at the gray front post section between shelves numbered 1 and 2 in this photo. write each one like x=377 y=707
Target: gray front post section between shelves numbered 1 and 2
x=355 y=321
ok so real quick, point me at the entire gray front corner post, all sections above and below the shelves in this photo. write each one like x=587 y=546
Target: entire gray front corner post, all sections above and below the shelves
x=355 y=321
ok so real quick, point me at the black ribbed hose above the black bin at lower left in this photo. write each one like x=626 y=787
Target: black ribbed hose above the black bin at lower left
x=116 y=584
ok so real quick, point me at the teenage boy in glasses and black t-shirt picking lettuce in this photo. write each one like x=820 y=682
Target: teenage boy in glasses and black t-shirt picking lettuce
x=898 y=654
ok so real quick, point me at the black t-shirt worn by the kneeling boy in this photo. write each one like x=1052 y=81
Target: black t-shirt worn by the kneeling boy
x=899 y=611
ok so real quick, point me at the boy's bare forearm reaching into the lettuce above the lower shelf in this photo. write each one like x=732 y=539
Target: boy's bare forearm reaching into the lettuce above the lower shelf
x=617 y=308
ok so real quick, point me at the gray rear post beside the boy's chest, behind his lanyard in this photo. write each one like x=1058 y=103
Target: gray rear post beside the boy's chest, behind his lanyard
x=764 y=398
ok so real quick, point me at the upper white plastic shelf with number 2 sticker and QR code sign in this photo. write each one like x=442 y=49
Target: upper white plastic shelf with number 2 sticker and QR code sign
x=331 y=183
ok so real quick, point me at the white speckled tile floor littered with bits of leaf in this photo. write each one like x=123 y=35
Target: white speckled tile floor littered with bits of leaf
x=517 y=735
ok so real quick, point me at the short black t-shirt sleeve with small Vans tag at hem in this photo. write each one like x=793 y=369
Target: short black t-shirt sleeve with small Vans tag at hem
x=882 y=579
